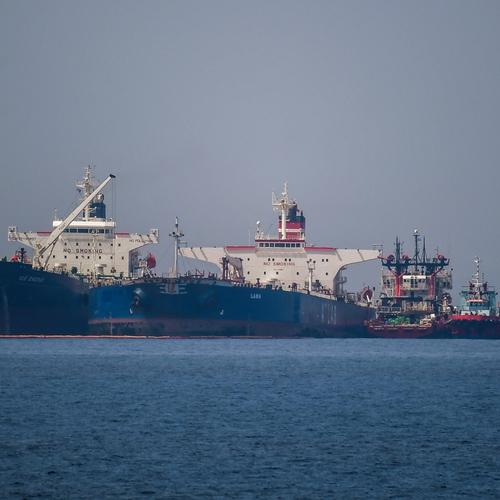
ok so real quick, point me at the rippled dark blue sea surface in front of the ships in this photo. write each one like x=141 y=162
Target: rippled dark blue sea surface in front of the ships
x=290 y=419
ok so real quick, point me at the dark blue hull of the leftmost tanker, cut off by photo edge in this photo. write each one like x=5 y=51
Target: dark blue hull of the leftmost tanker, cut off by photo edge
x=34 y=302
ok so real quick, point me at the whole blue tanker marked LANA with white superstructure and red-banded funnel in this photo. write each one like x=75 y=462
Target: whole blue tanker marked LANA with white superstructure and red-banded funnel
x=277 y=287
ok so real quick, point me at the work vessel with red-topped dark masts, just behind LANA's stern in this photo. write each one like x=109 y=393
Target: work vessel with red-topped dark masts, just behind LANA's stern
x=414 y=300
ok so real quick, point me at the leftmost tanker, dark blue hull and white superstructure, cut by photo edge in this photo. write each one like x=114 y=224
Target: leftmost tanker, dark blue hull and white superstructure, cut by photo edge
x=48 y=294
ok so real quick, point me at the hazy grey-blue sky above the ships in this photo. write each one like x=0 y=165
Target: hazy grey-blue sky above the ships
x=383 y=117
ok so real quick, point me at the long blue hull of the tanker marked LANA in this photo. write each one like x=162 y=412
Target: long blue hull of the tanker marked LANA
x=213 y=308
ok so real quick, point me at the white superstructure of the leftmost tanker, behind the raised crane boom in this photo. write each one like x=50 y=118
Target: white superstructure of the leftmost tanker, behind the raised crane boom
x=90 y=244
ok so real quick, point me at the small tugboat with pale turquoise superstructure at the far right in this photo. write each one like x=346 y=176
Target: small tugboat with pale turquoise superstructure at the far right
x=478 y=315
